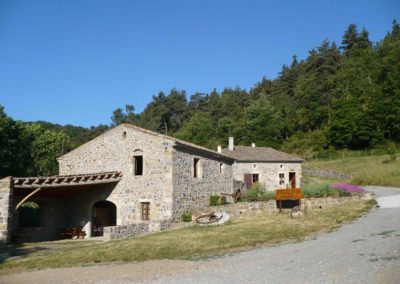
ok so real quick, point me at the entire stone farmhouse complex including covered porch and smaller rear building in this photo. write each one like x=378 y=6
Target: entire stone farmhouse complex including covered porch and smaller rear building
x=131 y=181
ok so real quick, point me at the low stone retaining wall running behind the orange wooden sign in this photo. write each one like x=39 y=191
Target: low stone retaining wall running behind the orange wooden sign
x=246 y=209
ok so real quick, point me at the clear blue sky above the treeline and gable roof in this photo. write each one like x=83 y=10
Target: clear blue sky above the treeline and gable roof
x=74 y=62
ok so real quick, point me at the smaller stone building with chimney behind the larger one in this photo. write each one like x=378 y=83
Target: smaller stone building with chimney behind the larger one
x=271 y=168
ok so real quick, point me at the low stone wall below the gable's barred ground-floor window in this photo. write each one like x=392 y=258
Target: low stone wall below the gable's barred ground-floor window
x=137 y=229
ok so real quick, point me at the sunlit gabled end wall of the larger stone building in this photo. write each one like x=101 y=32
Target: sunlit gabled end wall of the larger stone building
x=114 y=151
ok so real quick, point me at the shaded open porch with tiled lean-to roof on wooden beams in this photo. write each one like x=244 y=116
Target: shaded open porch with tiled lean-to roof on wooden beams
x=58 y=207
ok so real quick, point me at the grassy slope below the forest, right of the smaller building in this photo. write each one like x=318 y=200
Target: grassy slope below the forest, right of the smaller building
x=373 y=170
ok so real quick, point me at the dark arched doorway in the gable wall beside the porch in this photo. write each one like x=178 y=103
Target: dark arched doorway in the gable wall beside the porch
x=104 y=215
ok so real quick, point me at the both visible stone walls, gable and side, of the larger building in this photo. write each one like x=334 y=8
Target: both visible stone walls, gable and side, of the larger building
x=167 y=182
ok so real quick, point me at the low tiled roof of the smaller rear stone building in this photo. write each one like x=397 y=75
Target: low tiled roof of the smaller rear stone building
x=259 y=154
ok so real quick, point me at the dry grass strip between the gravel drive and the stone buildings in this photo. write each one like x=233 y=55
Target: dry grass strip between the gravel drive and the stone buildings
x=186 y=243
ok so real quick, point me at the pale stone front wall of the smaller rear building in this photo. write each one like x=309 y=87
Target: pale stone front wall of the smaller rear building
x=268 y=173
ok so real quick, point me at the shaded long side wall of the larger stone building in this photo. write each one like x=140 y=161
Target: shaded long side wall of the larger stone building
x=215 y=177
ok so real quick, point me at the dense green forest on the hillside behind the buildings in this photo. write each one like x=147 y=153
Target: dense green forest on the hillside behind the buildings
x=339 y=97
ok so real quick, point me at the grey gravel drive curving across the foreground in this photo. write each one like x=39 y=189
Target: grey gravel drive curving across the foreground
x=365 y=251
